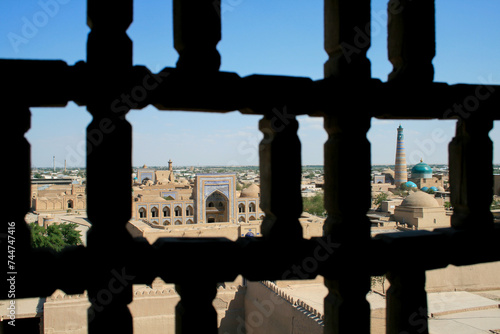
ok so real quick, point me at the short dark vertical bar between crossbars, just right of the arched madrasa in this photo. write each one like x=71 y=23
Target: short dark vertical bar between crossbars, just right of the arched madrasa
x=280 y=172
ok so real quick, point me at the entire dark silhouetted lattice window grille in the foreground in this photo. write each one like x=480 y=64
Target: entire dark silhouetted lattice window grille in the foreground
x=347 y=96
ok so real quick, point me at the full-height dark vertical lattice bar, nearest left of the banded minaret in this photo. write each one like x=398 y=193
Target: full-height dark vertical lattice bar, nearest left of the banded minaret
x=347 y=152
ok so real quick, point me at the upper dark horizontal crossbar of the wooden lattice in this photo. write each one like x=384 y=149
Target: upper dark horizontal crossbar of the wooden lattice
x=254 y=94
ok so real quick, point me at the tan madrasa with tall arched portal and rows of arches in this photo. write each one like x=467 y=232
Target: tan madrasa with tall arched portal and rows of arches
x=164 y=203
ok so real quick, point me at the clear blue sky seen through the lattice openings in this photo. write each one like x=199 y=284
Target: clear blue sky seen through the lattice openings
x=263 y=37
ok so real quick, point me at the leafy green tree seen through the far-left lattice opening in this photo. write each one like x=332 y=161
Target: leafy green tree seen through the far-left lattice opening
x=55 y=236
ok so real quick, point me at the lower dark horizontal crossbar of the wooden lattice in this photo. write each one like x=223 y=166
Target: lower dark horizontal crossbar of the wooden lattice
x=436 y=249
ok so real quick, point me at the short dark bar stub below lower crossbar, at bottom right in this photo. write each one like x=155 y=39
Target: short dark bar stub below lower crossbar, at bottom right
x=408 y=300
